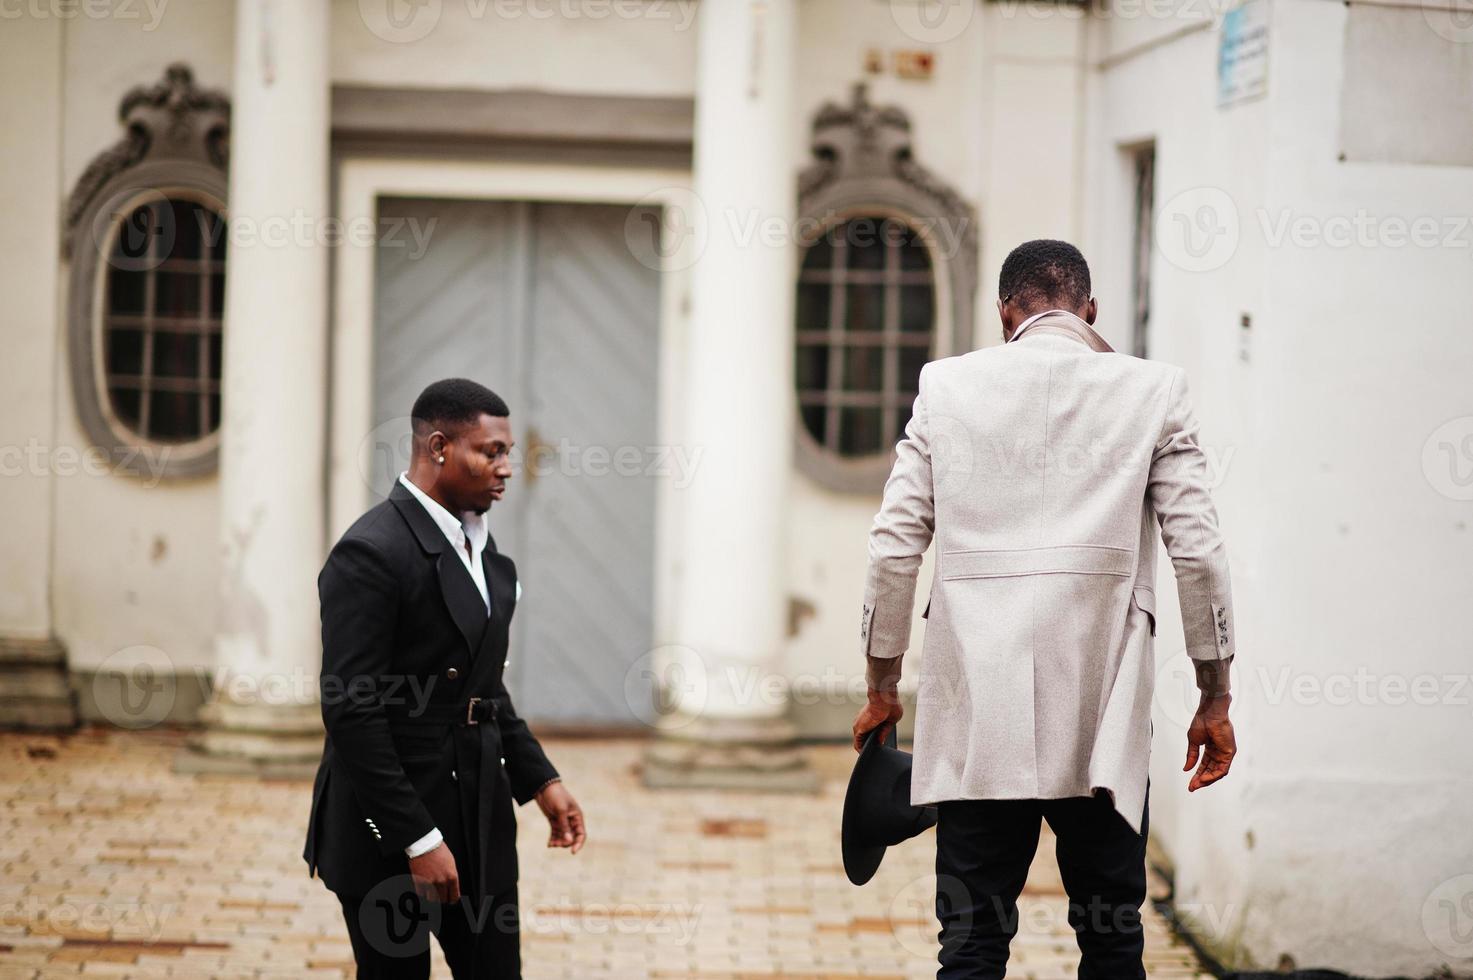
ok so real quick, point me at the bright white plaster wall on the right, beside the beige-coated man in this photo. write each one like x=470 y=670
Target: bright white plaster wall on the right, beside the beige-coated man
x=1346 y=819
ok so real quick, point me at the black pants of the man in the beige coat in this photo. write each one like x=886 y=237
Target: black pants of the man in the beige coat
x=983 y=851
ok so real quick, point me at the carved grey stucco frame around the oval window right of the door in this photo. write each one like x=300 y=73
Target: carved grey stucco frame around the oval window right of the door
x=864 y=167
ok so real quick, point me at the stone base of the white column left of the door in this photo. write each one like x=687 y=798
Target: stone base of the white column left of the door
x=261 y=741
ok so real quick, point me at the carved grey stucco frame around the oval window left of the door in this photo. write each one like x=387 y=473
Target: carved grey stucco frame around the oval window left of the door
x=176 y=145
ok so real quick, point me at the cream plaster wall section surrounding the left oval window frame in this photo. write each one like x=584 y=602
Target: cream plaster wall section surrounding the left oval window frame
x=133 y=564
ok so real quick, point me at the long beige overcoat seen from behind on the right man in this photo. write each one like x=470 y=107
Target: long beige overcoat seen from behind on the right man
x=1042 y=469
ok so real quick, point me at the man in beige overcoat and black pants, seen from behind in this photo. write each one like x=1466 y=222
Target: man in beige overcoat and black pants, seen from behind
x=1042 y=469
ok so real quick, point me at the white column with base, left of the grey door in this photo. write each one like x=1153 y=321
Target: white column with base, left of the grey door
x=272 y=487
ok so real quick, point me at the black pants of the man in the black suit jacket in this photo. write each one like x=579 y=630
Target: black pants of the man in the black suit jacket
x=391 y=934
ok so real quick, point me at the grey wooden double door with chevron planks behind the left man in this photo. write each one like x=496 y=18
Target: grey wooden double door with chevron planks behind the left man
x=546 y=306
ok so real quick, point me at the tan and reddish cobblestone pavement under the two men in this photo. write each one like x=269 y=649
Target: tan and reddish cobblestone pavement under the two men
x=116 y=866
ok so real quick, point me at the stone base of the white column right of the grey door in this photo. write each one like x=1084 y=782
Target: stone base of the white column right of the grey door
x=753 y=755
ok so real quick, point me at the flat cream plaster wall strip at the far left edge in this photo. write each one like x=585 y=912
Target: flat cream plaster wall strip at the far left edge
x=30 y=114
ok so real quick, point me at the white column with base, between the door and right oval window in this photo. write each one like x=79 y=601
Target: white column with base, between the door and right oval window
x=731 y=599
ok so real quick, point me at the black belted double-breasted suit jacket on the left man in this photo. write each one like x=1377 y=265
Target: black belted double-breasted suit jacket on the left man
x=407 y=645
